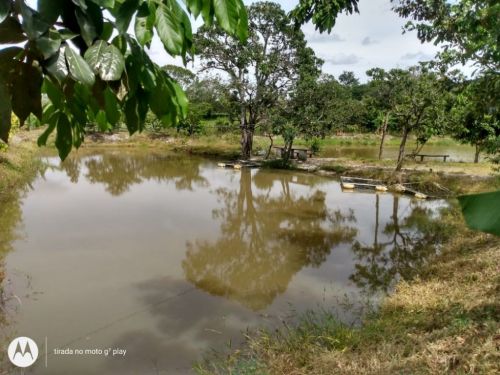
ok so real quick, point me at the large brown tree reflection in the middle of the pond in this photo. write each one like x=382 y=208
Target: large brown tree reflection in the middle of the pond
x=265 y=239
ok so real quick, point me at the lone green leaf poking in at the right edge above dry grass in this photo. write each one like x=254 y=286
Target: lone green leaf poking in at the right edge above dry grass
x=482 y=211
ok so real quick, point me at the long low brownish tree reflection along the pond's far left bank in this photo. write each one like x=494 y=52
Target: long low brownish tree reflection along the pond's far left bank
x=119 y=171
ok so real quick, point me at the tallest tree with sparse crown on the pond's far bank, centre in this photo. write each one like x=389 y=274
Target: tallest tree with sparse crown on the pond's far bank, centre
x=260 y=70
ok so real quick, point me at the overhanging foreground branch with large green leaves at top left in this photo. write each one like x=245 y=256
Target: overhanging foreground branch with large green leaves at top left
x=80 y=54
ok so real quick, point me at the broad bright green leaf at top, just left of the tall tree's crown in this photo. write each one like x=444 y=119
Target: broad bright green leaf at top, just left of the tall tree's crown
x=174 y=28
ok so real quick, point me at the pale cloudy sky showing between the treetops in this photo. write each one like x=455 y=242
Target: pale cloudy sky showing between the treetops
x=358 y=42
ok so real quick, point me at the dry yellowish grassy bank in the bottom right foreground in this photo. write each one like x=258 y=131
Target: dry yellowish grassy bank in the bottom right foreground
x=444 y=320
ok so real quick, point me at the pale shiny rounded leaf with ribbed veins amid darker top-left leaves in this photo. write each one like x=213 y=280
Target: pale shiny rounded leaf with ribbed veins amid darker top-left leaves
x=106 y=60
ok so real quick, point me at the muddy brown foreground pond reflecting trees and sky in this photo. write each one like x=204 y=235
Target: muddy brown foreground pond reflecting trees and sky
x=167 y=256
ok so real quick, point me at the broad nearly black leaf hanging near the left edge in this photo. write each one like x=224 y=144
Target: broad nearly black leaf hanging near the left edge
x=27 y=92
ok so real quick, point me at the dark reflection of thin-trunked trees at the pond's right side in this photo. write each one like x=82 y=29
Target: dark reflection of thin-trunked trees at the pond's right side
x=407 y=244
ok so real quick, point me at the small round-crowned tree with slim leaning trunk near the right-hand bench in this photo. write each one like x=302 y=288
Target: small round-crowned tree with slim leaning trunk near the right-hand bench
x=419 y=105
